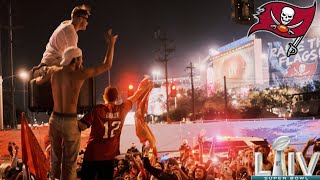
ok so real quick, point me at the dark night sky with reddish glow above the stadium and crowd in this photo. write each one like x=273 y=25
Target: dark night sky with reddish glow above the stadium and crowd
x=195 y=26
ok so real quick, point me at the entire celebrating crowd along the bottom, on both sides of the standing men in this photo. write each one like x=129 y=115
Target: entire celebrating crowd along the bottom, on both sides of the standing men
x=142 y=165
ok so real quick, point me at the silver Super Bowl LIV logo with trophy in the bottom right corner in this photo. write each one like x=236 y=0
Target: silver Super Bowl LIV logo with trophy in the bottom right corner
x=279 y=166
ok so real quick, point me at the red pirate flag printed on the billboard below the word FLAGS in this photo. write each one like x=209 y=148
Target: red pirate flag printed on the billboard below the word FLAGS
x=302 y=71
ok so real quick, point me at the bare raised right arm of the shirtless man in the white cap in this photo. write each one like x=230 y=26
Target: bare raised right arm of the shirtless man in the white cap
x=108 y=59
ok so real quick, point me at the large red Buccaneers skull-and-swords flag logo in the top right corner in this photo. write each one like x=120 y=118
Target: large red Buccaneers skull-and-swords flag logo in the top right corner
x=284 y=20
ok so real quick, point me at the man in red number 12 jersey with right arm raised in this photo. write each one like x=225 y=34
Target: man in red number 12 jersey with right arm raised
x=106 y=122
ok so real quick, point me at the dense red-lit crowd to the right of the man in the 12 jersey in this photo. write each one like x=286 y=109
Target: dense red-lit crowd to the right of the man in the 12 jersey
x=238 y=165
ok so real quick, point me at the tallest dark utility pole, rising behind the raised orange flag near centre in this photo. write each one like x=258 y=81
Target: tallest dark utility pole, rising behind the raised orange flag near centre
x=166 y=48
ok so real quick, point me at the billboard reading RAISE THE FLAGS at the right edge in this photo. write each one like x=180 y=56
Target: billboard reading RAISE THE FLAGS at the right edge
x=299 y=69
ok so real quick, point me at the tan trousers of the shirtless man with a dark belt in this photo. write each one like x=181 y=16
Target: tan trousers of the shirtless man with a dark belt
x=65 y=143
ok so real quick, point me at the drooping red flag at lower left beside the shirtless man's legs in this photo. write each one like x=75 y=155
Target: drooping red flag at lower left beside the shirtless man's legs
x=32 y=154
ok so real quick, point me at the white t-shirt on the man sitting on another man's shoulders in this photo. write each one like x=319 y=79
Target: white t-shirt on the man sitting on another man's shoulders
x=63 y=37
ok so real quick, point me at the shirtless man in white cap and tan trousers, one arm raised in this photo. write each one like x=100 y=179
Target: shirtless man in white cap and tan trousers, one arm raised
x=66 y=82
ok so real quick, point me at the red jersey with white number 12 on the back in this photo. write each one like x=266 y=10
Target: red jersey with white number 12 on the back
x=106 y=123
